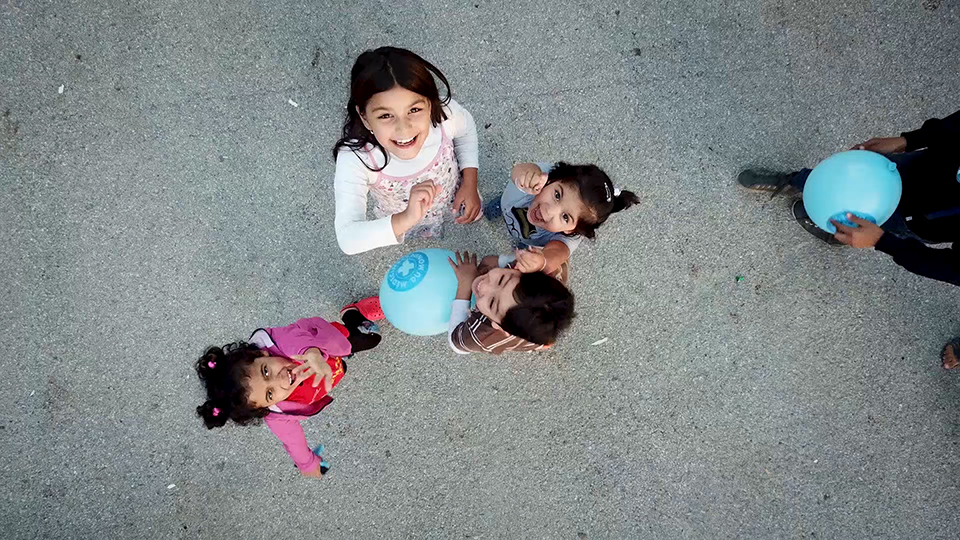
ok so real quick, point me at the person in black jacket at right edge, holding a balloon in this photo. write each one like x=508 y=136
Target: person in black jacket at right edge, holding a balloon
x=929 y=211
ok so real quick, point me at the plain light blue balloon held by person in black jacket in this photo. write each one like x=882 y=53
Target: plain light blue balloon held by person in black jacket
x=860 y=182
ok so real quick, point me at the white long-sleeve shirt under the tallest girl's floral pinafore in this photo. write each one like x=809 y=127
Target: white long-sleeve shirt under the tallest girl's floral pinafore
x=353 y=180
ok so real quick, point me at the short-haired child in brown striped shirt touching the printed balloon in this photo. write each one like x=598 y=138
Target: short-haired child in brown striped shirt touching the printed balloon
x=515 y=311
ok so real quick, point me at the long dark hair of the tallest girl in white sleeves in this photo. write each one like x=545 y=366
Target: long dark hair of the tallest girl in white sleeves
x=380 y=70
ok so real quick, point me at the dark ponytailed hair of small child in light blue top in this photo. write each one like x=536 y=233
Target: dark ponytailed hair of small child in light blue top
x=597 y=193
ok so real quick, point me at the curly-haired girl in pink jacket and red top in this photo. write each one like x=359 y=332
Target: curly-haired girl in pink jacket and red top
x=283 y=375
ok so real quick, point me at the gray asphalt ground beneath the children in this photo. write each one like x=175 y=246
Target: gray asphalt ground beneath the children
x=171 y=198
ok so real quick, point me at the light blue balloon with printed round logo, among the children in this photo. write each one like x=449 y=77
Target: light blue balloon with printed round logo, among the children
x=417 y=292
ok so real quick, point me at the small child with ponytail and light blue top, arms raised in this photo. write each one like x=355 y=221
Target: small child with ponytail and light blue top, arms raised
x=548 y=209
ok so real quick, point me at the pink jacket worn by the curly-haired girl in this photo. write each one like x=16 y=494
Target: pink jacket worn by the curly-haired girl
x=284 y=418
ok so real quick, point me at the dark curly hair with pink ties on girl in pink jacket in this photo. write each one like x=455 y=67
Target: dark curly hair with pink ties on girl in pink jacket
x=224 y=371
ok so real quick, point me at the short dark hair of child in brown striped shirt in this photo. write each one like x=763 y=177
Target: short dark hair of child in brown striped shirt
x=544 y=309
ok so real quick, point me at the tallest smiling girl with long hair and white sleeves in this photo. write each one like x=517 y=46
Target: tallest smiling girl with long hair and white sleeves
x=413 y=151
